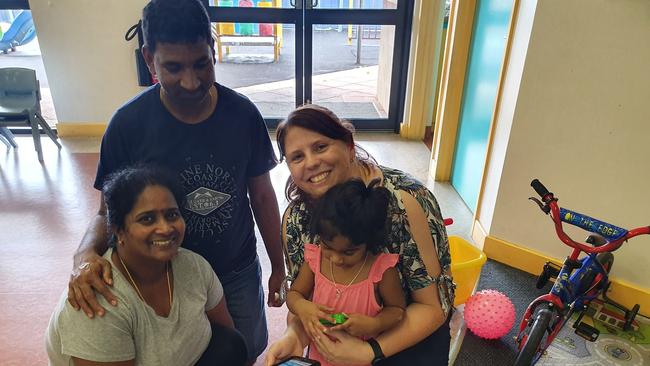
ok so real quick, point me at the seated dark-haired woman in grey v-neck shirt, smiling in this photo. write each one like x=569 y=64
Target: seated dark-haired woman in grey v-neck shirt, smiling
x=171 y=307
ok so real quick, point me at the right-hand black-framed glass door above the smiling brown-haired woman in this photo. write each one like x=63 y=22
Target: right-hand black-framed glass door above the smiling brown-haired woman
x=356 y=59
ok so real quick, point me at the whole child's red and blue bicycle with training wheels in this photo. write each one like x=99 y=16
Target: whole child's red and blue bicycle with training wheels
x=577 y=282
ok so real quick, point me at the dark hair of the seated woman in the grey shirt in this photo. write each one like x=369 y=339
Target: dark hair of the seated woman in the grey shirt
x=122 y=189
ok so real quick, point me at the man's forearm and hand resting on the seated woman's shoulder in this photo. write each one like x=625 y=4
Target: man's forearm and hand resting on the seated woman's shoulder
x=90 y=271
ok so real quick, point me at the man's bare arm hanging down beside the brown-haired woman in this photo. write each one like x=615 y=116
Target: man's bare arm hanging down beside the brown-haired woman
x=267 y=216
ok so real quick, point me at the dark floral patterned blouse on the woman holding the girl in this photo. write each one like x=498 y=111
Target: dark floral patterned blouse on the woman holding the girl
x=412 y=271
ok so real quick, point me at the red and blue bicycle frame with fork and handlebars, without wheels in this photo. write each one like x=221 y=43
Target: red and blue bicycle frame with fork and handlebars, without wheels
x=566 y=295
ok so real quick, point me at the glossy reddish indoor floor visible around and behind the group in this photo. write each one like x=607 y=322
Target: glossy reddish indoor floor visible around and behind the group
x=45 y=209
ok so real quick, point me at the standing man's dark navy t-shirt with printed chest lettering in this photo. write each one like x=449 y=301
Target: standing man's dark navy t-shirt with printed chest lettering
x=213 y=160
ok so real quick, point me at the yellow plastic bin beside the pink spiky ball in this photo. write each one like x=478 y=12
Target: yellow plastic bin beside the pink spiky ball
x=466 y=263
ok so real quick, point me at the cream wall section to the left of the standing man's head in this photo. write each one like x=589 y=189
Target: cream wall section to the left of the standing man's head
x=89 y=65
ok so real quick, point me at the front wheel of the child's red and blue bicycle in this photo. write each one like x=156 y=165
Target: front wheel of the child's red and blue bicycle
x=532 y=348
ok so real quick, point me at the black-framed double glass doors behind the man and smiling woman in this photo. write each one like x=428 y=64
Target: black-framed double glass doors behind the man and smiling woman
x=348 y=55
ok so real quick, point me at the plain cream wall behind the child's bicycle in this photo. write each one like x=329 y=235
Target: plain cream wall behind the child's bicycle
x=581 y=124
